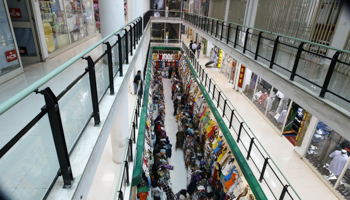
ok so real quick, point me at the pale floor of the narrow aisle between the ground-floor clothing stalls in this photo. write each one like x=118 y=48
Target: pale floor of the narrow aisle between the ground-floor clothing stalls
x=179 y=174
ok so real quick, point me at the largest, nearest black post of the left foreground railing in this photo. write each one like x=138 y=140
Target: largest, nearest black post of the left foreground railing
x=54 y=115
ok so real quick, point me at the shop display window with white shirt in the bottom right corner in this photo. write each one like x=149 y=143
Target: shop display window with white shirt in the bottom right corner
x=328 y=153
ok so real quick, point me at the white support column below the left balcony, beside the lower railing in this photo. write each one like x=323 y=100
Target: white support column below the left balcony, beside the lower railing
x=120 y=128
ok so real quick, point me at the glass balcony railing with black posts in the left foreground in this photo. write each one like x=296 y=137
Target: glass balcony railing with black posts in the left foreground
x=51 y=125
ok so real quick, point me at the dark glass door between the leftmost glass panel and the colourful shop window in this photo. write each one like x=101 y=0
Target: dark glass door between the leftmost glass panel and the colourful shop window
x=24 y=28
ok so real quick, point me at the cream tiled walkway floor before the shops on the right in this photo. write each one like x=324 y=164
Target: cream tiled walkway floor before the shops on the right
x=302 y=178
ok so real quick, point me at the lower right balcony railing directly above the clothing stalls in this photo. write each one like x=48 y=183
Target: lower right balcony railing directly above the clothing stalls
x=263 y=167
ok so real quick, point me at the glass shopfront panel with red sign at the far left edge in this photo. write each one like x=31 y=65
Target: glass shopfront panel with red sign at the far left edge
x=10 y=64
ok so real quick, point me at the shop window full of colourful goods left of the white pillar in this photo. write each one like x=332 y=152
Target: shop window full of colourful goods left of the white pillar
x=66 y=22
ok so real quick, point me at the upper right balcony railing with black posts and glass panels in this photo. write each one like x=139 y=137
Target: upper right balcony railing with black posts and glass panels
x=314 y=66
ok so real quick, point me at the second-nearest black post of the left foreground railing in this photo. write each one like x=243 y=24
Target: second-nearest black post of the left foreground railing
x=93 y=88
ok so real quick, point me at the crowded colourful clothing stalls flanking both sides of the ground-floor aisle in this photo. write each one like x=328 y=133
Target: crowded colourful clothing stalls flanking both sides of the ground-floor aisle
x=212 y=170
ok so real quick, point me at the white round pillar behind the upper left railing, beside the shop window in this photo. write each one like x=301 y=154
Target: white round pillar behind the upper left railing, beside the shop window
x=111 y=16
